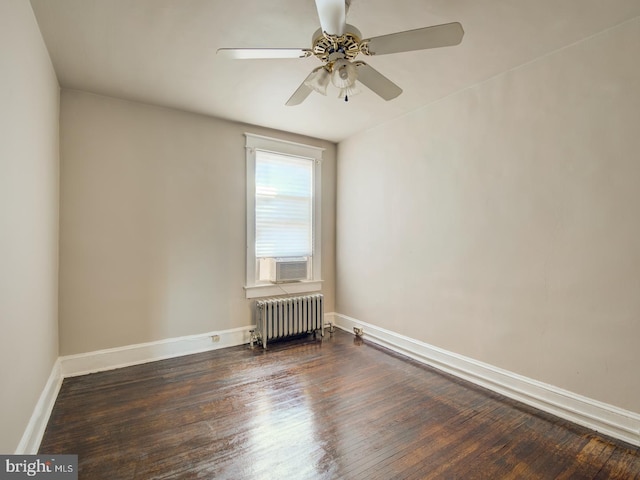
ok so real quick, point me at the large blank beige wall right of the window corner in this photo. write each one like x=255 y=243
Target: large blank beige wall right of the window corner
x=503 y=222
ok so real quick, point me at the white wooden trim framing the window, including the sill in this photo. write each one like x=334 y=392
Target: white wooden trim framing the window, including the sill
x=253 y=287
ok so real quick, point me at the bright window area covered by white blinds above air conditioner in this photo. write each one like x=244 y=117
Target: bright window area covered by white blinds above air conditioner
x=284 y=199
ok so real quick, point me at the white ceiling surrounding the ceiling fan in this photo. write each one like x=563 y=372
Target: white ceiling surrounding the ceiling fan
x=163 y=52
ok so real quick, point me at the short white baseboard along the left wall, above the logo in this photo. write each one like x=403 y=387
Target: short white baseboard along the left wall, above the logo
x=34 y=432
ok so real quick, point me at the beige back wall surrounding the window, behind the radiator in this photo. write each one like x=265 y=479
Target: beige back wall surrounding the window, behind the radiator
x=152 y=241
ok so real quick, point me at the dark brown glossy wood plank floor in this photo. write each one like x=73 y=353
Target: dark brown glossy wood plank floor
x=334 y=409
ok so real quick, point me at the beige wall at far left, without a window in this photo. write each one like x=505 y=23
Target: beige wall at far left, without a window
x=29 y=100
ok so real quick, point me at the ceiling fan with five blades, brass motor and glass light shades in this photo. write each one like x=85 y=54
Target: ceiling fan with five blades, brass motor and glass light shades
x=336 y=44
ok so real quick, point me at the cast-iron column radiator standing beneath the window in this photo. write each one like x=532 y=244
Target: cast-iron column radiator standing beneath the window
x=285 y=317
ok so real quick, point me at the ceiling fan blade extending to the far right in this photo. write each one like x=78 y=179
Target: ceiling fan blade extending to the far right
x=444 y=35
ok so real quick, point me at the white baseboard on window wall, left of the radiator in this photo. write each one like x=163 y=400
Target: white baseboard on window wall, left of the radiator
x=101 y=360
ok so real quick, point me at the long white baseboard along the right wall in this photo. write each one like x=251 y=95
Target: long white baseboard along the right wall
x=599 y=416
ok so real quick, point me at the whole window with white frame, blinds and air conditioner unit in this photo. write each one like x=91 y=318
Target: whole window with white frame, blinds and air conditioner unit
x=283 y=217
